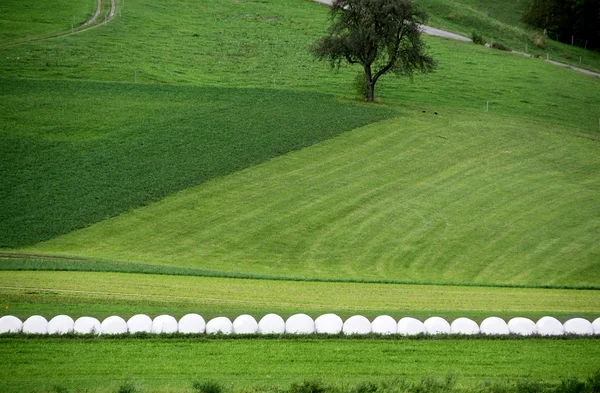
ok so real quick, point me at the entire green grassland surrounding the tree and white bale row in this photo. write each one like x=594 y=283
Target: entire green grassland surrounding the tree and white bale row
x=191 y=157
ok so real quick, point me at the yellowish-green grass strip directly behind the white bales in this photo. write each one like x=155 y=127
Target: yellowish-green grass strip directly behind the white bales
x=103 y=294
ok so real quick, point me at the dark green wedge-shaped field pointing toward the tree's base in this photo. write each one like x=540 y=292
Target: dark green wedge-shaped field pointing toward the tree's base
x=75 y=153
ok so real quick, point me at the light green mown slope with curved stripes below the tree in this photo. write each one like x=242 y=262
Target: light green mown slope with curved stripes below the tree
x=420 y=198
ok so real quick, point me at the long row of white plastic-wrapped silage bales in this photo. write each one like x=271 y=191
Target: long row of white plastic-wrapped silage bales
x=297 y=324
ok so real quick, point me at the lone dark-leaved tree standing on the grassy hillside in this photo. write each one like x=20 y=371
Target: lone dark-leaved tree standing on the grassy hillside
x=380 y=35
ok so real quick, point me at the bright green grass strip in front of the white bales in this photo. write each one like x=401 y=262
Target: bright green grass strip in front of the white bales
x=102 y=365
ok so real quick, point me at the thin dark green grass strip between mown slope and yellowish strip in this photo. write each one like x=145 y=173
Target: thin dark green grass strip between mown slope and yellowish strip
x=15 y=263
